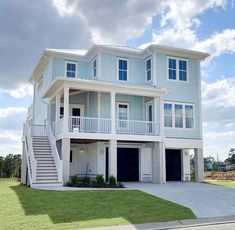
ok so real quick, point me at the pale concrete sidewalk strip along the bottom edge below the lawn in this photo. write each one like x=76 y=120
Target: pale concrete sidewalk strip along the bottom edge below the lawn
x=172 y=224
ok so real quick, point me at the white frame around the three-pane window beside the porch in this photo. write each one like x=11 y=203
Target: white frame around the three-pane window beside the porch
x=173 y=115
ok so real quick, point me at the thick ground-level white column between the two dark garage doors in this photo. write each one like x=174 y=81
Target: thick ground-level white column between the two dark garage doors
x=158 y=161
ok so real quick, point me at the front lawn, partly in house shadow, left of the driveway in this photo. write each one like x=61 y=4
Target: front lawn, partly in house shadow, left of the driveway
x=24 y=208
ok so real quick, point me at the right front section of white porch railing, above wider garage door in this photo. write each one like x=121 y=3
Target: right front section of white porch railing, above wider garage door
x=134 y=127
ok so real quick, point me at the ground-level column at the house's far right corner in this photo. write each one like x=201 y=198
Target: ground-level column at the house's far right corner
x=199 y=165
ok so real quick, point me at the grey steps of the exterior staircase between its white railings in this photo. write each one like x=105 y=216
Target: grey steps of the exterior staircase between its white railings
x=46 y=172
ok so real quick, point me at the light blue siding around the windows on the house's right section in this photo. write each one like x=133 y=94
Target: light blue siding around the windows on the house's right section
x=179 y=91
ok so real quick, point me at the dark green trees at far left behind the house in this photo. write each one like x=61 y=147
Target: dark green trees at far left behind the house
x=10 y=166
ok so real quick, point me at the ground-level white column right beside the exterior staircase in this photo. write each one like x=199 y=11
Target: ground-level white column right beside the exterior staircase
x=65 y=153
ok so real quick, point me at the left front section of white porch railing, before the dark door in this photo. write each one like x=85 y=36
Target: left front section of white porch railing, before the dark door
x=89 y=124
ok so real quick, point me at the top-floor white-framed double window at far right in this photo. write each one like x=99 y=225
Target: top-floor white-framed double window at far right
x=177 y=69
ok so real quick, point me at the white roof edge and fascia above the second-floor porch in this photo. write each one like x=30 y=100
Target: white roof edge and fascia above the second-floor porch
x=101 y=86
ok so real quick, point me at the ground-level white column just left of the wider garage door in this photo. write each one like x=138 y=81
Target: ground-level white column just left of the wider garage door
x=113 y=158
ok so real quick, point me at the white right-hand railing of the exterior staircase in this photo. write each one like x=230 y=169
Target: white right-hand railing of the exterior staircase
x=55 y=154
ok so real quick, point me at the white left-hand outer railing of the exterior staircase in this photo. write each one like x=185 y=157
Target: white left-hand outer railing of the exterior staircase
x=31 y=161
